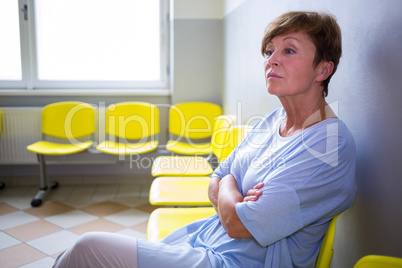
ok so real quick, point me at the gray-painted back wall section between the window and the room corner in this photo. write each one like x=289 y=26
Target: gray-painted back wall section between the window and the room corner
x=197 y=60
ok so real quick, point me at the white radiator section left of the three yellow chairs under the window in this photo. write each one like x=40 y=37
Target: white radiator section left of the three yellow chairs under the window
x=20 y=127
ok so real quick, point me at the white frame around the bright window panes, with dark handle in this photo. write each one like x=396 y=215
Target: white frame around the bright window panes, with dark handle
x=30 y=82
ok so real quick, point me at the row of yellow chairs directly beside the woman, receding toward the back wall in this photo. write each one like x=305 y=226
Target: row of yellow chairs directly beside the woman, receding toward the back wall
x=186 y=184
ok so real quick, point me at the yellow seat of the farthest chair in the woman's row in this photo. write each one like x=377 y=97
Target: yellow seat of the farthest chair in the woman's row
x=181 y=166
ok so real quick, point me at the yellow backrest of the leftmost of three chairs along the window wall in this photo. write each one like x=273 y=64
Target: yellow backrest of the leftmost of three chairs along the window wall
x=68 y=120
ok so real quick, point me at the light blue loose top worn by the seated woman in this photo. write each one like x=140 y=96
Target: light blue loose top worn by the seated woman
x=308 y=179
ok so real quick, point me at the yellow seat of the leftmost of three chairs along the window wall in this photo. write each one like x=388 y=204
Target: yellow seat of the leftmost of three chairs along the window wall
x=51 y=148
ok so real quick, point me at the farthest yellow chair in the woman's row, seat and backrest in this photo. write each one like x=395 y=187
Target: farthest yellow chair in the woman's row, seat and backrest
x=194 y=165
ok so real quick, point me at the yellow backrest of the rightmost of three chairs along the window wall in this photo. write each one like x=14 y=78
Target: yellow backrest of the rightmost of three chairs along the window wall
x=193 y=120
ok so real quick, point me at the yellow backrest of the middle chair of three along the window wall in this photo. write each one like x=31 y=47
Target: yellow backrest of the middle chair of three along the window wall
x=132 y=120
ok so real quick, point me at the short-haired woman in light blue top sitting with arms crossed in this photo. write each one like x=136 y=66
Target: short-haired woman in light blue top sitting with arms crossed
x=277 y=192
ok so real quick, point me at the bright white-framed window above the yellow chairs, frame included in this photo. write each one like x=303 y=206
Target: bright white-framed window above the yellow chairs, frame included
x=91 y=44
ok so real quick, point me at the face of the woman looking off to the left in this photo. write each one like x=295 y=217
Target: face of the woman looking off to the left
x=288 y=65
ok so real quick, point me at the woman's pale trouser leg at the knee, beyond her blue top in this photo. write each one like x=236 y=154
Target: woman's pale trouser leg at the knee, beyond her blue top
x=100 y=250
